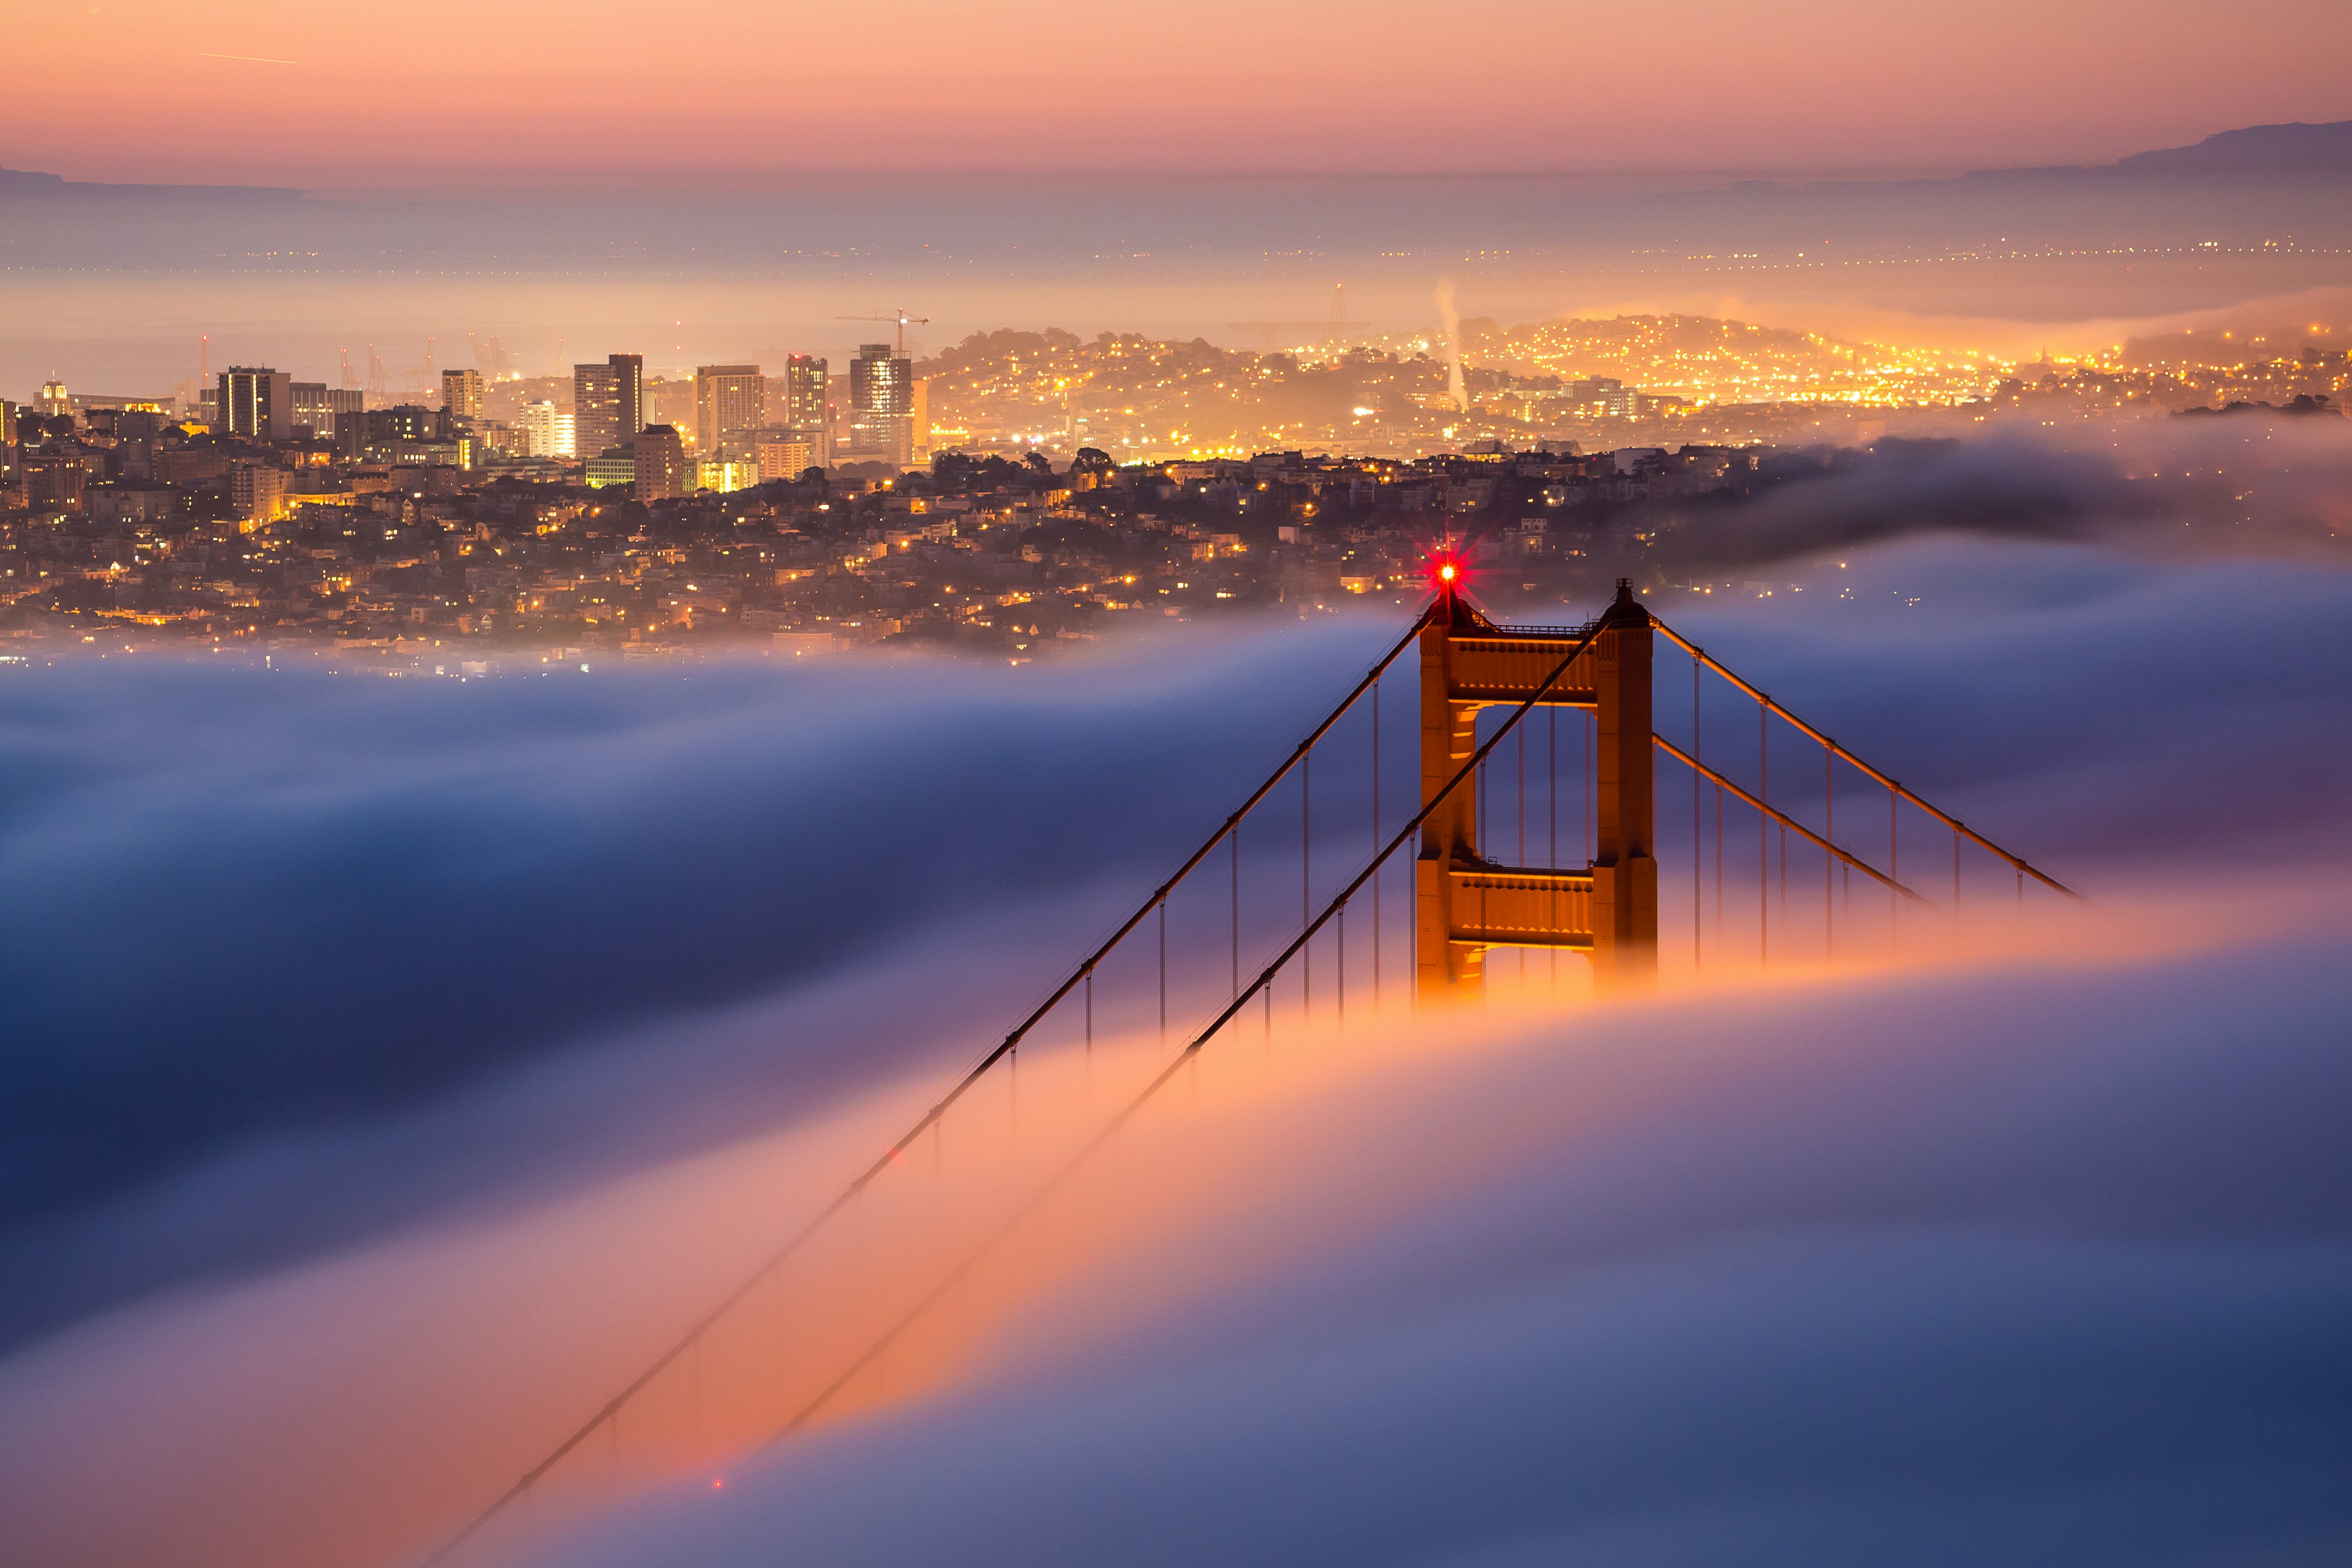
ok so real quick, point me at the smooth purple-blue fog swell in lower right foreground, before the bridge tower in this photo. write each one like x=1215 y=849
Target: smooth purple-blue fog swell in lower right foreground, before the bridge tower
x=2003 y=1266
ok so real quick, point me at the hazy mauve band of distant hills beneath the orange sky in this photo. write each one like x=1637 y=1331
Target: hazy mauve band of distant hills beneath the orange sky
x=2231 y=194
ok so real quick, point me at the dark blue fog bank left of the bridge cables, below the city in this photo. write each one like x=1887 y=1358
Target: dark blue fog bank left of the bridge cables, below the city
x=246 y=906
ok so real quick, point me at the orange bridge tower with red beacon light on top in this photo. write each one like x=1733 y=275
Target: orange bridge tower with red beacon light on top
x=1466 y=904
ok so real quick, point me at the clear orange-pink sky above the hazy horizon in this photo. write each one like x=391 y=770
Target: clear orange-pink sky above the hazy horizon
x=599 y=95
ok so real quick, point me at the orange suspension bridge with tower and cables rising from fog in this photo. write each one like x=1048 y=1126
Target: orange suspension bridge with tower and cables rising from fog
x=1481 y=685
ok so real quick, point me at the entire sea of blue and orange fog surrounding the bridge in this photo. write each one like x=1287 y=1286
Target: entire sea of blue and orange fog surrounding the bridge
x=394 y=1066
